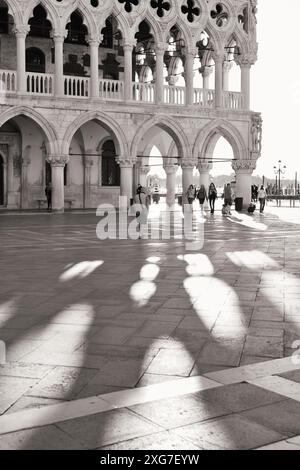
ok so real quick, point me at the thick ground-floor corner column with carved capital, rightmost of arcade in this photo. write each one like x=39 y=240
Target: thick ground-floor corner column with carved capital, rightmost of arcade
x=244 y=170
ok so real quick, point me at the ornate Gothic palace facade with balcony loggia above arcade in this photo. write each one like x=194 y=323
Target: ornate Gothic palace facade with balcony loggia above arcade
x=88 y=87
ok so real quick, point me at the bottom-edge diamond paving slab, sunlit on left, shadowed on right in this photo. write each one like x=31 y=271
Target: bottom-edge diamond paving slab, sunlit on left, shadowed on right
x=229 y=433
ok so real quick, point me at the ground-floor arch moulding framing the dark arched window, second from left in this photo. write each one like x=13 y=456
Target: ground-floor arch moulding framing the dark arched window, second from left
x=108 y=123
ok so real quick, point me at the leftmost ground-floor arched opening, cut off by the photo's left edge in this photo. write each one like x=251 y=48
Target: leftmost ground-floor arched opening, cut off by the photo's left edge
x=25 y=146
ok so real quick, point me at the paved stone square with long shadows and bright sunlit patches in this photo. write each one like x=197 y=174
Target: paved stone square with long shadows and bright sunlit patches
x=143 y=345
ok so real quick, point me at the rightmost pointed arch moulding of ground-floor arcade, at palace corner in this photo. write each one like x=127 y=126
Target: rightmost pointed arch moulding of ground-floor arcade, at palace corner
x=207 y=138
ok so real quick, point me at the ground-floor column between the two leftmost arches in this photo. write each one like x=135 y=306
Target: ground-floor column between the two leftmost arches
x=57 y=180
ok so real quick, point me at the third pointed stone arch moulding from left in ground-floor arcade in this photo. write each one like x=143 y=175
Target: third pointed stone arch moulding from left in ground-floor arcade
x=171 y=127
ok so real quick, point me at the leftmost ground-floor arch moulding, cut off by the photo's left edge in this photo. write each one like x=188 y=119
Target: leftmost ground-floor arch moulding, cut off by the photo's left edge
x=39 y=119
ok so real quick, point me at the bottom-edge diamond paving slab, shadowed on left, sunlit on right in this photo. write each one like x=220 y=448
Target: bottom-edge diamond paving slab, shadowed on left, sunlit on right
x=107 y=428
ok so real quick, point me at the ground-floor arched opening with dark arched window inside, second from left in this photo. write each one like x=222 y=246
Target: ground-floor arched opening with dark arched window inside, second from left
x=93 y=172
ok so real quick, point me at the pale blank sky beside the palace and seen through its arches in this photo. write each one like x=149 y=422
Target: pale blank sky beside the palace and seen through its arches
x=275 y=89
